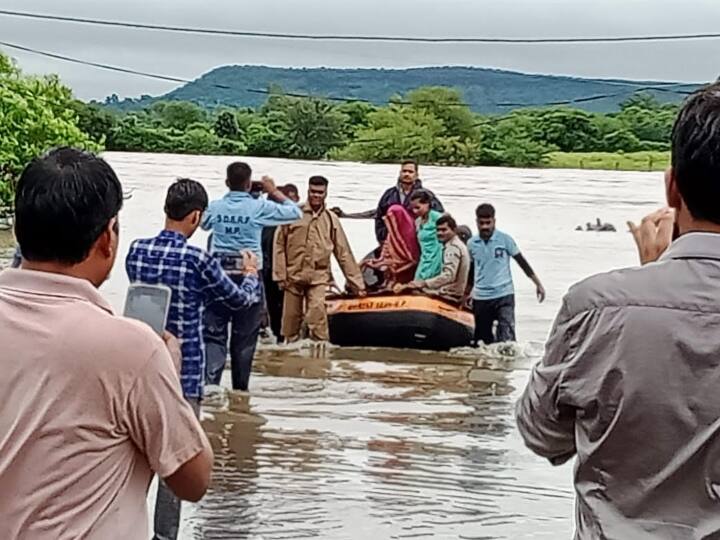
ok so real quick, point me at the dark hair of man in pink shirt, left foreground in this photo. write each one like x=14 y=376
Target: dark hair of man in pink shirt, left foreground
x=63 y=203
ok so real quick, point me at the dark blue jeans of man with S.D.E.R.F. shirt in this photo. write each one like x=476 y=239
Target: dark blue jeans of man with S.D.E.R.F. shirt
x=244 y=331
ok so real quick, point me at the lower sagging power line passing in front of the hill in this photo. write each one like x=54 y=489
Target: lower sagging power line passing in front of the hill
x=119 y=69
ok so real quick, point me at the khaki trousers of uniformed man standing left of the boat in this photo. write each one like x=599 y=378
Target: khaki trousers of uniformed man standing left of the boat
x=305 y=302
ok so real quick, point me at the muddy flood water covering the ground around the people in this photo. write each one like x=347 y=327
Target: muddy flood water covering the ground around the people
x=357 y=444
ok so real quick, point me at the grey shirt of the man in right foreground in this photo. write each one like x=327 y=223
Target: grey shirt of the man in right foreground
x=630 y=385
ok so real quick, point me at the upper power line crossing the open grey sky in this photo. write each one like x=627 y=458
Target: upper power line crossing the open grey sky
x=332 y=37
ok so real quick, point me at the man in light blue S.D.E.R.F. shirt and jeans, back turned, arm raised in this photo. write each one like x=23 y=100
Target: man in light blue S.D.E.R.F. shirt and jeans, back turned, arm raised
x=236 y=222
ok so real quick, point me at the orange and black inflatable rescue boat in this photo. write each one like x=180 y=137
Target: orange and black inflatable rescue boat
x=404 y=321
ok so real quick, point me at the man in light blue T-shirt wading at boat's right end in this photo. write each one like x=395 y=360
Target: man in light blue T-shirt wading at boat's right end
x=493 y=292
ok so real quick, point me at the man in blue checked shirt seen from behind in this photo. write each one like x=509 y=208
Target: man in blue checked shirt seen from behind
x=195 y=280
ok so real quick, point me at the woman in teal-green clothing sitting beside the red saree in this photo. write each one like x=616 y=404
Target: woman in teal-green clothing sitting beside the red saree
x=431 y=249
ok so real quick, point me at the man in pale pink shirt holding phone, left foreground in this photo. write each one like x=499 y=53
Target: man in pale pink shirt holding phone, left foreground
x=92 y=403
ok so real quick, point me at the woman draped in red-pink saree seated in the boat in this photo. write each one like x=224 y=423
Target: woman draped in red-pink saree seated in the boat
x=399 y=253
